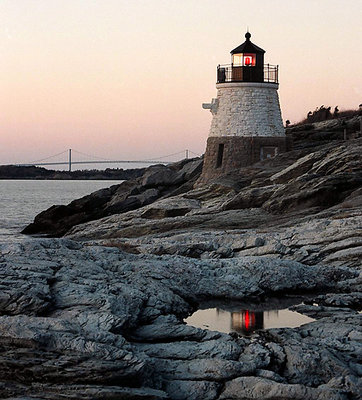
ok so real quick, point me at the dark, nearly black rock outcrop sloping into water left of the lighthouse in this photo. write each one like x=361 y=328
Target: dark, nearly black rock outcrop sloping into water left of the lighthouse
x=158 y=181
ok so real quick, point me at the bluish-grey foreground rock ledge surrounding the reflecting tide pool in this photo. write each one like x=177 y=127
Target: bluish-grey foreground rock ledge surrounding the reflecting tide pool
x=90 y=322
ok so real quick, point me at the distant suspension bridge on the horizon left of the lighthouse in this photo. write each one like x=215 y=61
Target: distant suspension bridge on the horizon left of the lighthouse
x=70 y=161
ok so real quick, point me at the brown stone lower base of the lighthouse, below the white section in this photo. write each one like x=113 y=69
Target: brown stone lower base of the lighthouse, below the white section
x=239 y=152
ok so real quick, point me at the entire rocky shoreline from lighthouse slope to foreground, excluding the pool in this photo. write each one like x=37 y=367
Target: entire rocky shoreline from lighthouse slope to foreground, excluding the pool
x=99 y=313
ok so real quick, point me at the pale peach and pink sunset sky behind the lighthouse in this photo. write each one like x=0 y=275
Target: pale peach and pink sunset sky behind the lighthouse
x=126 y=79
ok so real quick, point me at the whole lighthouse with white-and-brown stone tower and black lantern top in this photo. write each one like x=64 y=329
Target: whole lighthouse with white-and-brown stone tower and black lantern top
x=246 y=126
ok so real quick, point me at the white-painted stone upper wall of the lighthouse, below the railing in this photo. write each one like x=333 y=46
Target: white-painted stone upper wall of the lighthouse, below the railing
x=247 y=109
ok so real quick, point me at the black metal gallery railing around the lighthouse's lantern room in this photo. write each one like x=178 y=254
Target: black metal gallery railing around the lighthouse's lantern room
x=236 y=73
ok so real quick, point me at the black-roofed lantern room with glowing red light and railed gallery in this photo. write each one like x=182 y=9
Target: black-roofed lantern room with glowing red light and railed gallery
x=247 y=65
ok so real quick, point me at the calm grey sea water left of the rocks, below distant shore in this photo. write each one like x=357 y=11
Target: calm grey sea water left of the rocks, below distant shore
x=22 y=200
